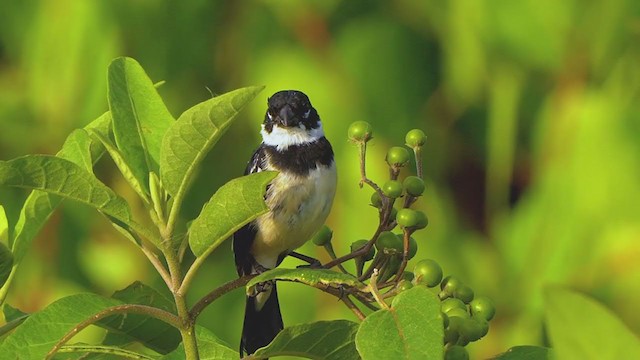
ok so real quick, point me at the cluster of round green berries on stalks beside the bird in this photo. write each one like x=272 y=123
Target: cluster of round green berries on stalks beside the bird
x=383 y=259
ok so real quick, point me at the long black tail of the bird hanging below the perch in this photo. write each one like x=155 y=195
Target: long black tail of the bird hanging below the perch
x=260 y=326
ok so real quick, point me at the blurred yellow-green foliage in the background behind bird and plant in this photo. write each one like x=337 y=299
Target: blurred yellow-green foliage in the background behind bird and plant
x=530 y=107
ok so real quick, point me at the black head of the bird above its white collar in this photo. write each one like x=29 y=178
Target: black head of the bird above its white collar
x=290 y=108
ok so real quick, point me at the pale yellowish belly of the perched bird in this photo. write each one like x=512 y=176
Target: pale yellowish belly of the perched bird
x=299 y=206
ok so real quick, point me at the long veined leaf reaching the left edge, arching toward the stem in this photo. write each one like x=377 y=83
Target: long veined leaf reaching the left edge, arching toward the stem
x=63 y=178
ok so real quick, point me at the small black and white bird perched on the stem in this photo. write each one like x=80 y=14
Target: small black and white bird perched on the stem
x=299 y=200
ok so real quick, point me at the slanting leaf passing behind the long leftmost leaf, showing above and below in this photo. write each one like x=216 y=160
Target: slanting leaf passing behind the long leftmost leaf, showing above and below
x=39 y=204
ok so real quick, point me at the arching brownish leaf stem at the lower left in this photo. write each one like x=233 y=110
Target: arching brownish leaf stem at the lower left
x=159 y=314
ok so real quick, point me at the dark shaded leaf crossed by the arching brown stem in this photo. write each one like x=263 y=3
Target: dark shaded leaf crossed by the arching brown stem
x=152 y=333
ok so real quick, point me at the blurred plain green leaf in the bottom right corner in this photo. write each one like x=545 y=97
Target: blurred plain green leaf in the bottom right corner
x=581 y=328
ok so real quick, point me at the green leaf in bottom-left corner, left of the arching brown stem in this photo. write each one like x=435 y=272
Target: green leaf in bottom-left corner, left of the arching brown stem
x=42 y=330
